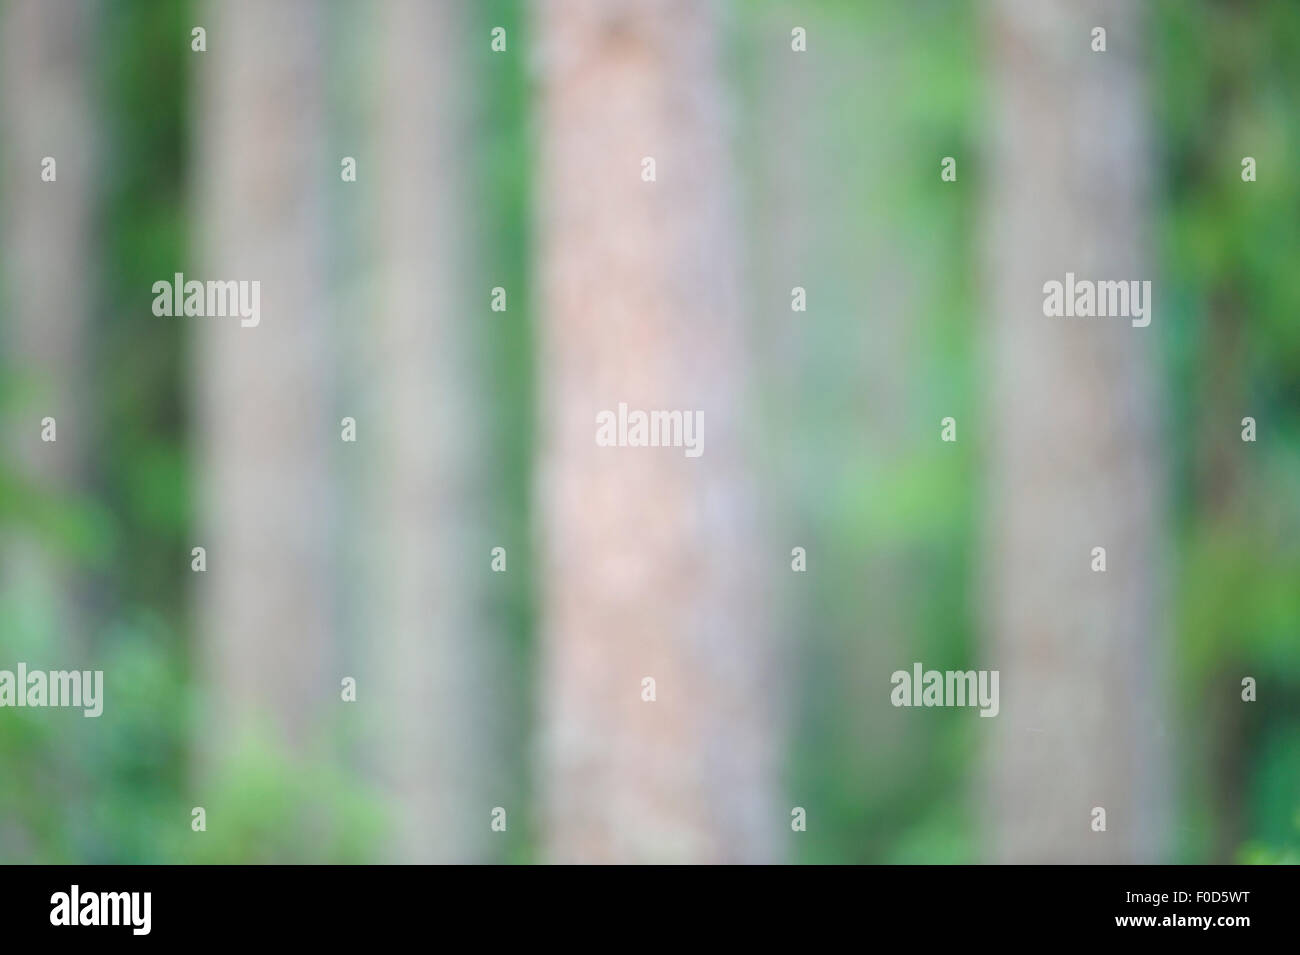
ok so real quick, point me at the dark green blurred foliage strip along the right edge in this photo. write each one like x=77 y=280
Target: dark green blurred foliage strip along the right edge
x=1225 y=88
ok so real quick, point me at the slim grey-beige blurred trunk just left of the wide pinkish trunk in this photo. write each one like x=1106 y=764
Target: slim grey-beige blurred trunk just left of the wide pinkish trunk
x=430 y=644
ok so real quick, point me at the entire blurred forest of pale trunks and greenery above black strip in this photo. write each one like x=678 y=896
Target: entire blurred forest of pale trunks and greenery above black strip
x=521 y=170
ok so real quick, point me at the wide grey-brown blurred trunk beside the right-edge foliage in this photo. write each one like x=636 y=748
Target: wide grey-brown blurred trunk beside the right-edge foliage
x=1076 y=457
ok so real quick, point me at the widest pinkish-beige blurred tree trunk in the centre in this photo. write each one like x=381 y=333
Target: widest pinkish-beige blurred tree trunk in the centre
x=649 y=558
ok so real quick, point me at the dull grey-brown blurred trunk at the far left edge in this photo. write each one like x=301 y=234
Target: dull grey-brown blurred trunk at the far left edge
x=50 y=274
